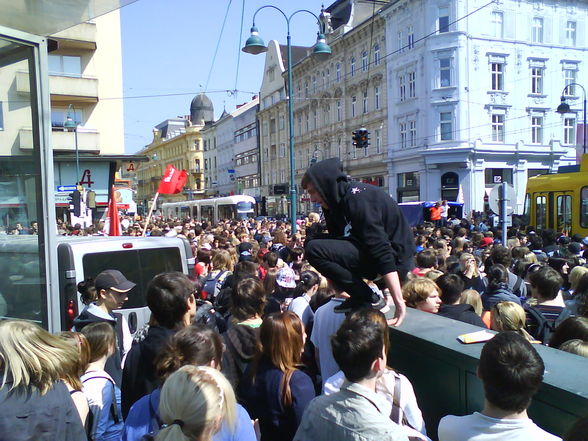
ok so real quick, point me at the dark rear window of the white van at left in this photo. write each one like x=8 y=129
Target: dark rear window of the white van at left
x=139 y=266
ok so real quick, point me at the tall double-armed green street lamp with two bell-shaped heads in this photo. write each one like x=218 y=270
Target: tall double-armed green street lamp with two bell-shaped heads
x=321 y=51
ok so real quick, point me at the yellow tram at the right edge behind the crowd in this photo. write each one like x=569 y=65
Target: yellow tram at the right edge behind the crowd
x=559 y=200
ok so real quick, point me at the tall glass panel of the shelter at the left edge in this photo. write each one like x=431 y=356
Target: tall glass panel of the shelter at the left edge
x=22 y=285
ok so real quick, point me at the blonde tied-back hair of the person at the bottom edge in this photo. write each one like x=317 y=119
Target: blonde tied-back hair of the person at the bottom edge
x=194 y=401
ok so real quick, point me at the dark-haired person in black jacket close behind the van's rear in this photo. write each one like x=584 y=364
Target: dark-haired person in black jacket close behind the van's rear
x=171 y=299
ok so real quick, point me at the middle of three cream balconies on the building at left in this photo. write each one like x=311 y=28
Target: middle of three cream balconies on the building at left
x=63 y=88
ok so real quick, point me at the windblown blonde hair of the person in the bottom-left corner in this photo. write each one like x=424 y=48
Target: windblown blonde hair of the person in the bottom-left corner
x=31 y=356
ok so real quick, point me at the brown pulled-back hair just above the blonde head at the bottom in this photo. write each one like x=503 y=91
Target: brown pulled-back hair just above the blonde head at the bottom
x=196 y=344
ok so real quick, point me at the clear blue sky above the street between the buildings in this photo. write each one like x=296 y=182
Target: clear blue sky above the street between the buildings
x=168 y=48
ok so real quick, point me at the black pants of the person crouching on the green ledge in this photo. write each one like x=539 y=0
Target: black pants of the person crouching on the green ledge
x=345 y=264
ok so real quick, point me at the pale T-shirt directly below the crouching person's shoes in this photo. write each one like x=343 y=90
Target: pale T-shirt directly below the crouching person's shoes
x=326 y=323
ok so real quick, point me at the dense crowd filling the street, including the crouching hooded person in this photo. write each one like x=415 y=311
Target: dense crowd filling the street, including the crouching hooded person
x=281 y=336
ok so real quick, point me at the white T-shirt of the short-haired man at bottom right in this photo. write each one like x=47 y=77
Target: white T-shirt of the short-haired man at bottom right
x=478 y=427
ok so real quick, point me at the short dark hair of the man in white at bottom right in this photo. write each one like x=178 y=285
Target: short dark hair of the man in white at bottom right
x=511 y=370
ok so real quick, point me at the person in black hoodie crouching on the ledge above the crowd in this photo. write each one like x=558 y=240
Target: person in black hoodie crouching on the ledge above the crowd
x=367 y=236
